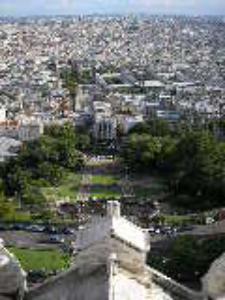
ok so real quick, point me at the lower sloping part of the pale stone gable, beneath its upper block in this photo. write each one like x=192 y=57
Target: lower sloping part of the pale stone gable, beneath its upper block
x=91 y=277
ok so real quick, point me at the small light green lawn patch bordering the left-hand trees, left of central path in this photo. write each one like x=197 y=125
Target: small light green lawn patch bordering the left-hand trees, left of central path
x=68 y=188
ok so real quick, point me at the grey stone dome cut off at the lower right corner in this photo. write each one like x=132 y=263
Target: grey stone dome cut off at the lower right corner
x=214 y=280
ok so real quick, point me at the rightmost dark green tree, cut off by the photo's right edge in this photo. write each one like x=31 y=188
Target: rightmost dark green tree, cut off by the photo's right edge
x=199 y=163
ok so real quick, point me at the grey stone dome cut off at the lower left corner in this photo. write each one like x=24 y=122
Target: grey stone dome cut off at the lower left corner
x=12 y=277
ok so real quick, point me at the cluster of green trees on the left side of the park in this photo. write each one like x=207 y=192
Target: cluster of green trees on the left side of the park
x=41 y=163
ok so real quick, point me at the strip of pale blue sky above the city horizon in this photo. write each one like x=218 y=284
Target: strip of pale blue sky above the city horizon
x=52 y=7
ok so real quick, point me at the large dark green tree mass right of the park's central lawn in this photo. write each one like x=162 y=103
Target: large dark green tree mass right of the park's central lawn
x=193 y=162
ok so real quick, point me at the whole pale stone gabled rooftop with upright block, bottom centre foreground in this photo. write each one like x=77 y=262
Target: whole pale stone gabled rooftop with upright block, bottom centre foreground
x=111 y=265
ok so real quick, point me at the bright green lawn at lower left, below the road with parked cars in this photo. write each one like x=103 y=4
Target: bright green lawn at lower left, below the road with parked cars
x=36 y=260
